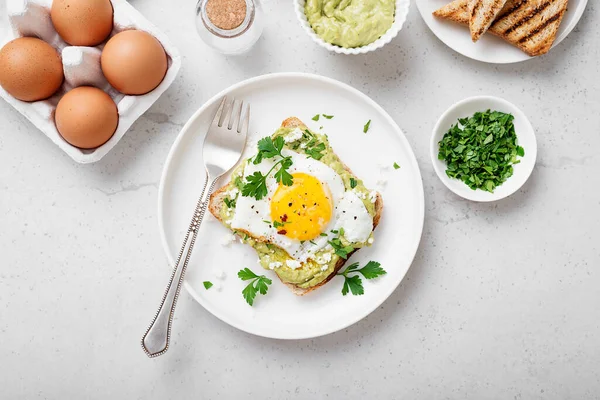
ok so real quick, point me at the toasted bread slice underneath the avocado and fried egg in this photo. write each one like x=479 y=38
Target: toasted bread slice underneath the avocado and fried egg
x=217 y=200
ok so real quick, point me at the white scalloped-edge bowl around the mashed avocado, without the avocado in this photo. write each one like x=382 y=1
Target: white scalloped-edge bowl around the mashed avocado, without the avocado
x=402 y=7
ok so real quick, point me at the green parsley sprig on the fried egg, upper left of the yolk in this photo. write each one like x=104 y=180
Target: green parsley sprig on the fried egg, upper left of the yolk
x=256 y=184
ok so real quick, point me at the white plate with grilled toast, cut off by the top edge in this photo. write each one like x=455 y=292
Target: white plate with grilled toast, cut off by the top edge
x=522 y=30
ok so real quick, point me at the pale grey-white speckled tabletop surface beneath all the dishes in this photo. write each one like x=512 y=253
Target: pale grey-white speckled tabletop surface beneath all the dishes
x=502 y=301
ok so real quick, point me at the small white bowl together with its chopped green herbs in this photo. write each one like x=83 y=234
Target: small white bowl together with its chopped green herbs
x=483 y=148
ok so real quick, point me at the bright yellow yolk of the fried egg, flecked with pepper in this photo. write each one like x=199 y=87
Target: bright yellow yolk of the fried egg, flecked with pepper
x=303 y=210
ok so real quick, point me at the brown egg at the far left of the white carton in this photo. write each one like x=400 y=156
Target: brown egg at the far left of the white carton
x=30 y=69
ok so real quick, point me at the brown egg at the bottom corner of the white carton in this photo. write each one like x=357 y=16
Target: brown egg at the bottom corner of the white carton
x=86 y=117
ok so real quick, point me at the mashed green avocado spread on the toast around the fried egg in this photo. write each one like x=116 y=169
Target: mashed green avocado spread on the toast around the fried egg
x=315 y=271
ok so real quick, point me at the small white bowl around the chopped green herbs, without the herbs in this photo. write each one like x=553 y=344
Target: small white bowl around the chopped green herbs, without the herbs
x=525 y=138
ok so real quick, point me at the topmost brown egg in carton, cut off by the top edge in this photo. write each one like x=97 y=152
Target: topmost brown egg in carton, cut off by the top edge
x=82 y=22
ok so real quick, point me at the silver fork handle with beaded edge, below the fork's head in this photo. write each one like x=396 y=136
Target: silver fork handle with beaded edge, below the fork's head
x=155 y=341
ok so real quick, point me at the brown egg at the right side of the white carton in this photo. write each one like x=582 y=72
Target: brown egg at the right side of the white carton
x=134 y=62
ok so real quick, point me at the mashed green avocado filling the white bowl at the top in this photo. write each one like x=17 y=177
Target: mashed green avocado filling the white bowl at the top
x=350 y=23
